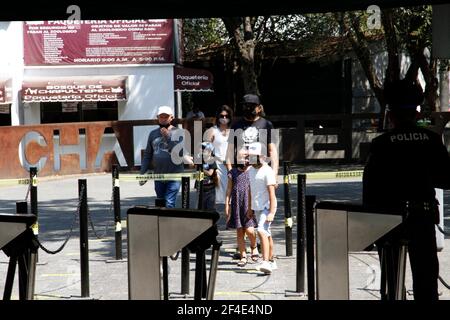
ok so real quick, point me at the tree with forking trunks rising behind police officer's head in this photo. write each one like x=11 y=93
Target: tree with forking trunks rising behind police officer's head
x=405 y=30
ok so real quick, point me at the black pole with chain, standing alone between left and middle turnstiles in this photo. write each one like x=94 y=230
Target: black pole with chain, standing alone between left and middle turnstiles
x=84 y=245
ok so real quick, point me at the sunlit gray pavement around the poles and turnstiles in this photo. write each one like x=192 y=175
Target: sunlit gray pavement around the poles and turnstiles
x=58 y=276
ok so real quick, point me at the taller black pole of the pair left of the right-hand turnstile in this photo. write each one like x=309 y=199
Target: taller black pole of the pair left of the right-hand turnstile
x=301 y=232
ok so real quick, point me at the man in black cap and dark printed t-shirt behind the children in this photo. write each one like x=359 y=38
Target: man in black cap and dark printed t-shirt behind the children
x=252 y=128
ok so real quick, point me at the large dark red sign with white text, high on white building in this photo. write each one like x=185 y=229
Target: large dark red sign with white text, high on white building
x=90 y=42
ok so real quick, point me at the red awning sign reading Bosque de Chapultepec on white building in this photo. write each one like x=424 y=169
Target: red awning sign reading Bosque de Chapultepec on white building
x=73 y=89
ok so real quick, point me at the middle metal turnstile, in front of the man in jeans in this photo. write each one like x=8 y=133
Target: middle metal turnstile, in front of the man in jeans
x=154 y=233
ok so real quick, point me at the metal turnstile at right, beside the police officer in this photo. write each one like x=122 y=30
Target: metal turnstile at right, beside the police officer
x=339 y=229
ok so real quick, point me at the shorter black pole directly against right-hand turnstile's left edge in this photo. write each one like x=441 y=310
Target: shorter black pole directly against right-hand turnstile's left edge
x=310 y=200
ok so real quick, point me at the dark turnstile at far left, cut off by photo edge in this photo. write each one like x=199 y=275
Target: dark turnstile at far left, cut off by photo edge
x=16 y=241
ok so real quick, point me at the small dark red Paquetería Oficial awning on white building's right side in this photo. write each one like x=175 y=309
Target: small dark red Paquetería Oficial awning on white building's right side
x=187 y=79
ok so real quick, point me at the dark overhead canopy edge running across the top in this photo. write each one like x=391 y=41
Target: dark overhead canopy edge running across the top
x=103 y=9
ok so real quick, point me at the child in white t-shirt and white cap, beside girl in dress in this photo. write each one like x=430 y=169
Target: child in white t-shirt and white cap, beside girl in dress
x=263 y=203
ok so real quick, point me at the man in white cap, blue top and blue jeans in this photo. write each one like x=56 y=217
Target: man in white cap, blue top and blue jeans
x=160 y=145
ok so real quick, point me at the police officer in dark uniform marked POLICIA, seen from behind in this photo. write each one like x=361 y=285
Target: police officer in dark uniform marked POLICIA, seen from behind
x=404 y=166
